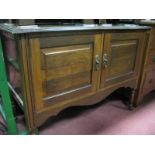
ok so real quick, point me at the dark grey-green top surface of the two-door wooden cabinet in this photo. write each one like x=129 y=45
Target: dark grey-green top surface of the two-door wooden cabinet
x=11 y=28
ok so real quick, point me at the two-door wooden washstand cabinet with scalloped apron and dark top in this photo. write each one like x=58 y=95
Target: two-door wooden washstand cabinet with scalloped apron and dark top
x=55 y=67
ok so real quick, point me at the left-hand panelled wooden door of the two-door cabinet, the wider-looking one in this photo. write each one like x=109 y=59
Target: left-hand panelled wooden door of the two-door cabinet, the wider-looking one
x=63 y=68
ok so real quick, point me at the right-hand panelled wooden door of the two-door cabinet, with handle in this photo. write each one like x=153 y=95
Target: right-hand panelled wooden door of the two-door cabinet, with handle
x=120 y=57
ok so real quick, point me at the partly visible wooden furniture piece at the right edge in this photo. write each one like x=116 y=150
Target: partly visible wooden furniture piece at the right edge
x=147 y=80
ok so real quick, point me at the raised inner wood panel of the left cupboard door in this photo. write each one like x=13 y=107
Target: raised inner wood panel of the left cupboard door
x=67 y=68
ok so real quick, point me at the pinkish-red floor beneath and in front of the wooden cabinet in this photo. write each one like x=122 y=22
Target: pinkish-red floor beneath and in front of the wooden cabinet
x=111 y=117
